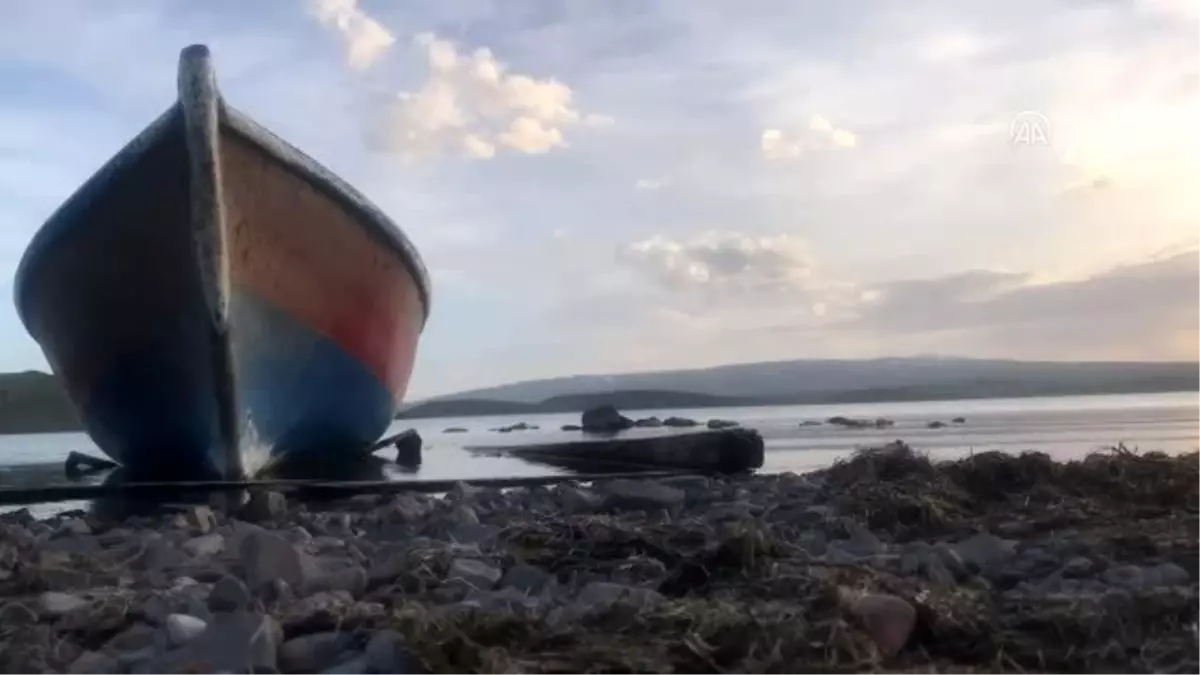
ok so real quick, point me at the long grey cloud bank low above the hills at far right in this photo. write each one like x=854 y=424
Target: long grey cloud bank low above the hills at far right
x=1127 y=312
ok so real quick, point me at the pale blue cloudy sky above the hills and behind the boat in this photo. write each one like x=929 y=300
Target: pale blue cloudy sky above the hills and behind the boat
x=620 y=186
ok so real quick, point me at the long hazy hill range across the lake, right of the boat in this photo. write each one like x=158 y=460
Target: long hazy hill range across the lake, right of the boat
x=826 y=381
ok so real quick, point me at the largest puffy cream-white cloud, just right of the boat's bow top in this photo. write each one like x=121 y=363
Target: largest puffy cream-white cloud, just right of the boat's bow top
x=472 y=105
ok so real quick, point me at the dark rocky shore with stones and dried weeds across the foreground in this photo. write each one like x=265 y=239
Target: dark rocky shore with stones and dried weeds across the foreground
x=885 y=563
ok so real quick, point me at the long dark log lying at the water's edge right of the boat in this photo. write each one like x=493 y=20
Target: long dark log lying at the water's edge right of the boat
x=725 y=451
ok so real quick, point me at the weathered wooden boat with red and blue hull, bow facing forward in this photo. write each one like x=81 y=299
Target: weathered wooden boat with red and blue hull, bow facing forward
x=219 y=304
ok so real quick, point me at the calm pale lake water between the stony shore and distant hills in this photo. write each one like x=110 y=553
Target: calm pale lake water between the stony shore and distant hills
x=1064 y=427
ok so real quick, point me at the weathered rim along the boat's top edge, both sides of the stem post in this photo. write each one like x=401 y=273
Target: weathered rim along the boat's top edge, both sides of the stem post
x=292 y=159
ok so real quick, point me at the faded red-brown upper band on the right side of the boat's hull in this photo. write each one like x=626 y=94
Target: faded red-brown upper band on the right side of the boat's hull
x=297 y=249
